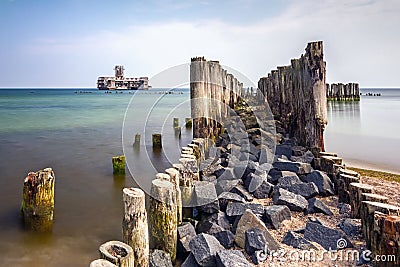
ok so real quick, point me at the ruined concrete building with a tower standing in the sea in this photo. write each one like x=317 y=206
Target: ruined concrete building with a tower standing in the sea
x=120 y=82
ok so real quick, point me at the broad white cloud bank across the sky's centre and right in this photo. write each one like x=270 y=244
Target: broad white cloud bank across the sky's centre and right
x=360 y=40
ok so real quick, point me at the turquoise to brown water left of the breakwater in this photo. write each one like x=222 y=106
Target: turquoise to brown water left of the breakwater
x=76 y=134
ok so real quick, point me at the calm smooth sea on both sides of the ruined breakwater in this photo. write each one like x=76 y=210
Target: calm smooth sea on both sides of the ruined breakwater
x=77 y=132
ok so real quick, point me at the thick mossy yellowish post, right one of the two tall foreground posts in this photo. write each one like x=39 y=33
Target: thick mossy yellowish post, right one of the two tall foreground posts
x=163 y=217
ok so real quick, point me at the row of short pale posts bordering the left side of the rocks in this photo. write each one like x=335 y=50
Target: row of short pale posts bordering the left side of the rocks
x=170 y=201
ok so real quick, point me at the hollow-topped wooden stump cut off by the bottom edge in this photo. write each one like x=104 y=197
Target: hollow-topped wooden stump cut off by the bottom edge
x=117 y=253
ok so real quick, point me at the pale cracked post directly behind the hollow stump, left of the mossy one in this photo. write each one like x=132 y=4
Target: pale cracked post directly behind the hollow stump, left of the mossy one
x=134 y=225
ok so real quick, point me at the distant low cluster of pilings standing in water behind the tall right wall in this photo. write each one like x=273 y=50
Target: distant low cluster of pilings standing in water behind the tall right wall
x=343 y=92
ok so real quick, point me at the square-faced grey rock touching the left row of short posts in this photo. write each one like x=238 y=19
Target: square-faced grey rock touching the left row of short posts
x=206 y=197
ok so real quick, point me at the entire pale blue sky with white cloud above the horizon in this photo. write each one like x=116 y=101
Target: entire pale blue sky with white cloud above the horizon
x=69 y=43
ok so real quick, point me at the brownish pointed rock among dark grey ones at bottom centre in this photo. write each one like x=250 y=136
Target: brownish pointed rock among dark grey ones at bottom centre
x=250 y=220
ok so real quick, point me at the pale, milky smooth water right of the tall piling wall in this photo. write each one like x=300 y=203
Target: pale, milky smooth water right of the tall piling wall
x=366 y=133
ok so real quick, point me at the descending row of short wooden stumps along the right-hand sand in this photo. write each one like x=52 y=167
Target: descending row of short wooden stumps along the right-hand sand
x=380 y=220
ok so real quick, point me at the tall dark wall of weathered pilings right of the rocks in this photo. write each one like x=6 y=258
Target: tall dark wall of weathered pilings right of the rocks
x=296 y=95
